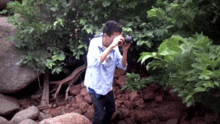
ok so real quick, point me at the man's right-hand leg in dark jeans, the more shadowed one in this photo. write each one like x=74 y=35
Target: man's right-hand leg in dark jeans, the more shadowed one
x=109 y=107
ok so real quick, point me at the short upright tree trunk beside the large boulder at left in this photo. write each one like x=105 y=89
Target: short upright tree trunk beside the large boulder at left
x=45 y=95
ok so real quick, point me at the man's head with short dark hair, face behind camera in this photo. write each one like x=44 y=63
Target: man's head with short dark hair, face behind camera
x=111 y=30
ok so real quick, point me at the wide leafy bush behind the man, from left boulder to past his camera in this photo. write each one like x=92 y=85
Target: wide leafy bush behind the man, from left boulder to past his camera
x=46 y=29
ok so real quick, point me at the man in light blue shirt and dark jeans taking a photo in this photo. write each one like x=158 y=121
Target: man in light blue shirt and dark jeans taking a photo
x=102 y=59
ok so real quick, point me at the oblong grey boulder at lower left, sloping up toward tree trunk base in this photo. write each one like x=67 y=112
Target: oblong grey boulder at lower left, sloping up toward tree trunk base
x=31 y=112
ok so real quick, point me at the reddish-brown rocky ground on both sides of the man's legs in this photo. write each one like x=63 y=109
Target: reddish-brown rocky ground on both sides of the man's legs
x=151 y=105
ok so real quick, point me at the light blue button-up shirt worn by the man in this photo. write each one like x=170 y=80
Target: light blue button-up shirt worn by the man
x=99 y=75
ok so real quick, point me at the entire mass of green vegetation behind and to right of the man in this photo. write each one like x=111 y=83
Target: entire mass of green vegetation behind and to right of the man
x=180 y=37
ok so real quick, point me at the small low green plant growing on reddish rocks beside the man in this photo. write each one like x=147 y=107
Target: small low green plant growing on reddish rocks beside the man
x=134 y=82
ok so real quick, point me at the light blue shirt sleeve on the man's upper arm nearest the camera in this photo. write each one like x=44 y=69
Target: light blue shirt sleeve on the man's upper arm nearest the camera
x=93 y=56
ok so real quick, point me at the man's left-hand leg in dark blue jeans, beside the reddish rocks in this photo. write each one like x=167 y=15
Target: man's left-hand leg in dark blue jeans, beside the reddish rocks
x=99 y=108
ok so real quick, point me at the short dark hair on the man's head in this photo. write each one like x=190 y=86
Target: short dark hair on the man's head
x=112 y=26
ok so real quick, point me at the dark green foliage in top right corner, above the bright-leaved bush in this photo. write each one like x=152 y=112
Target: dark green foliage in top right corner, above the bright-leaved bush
x=188 y=16
